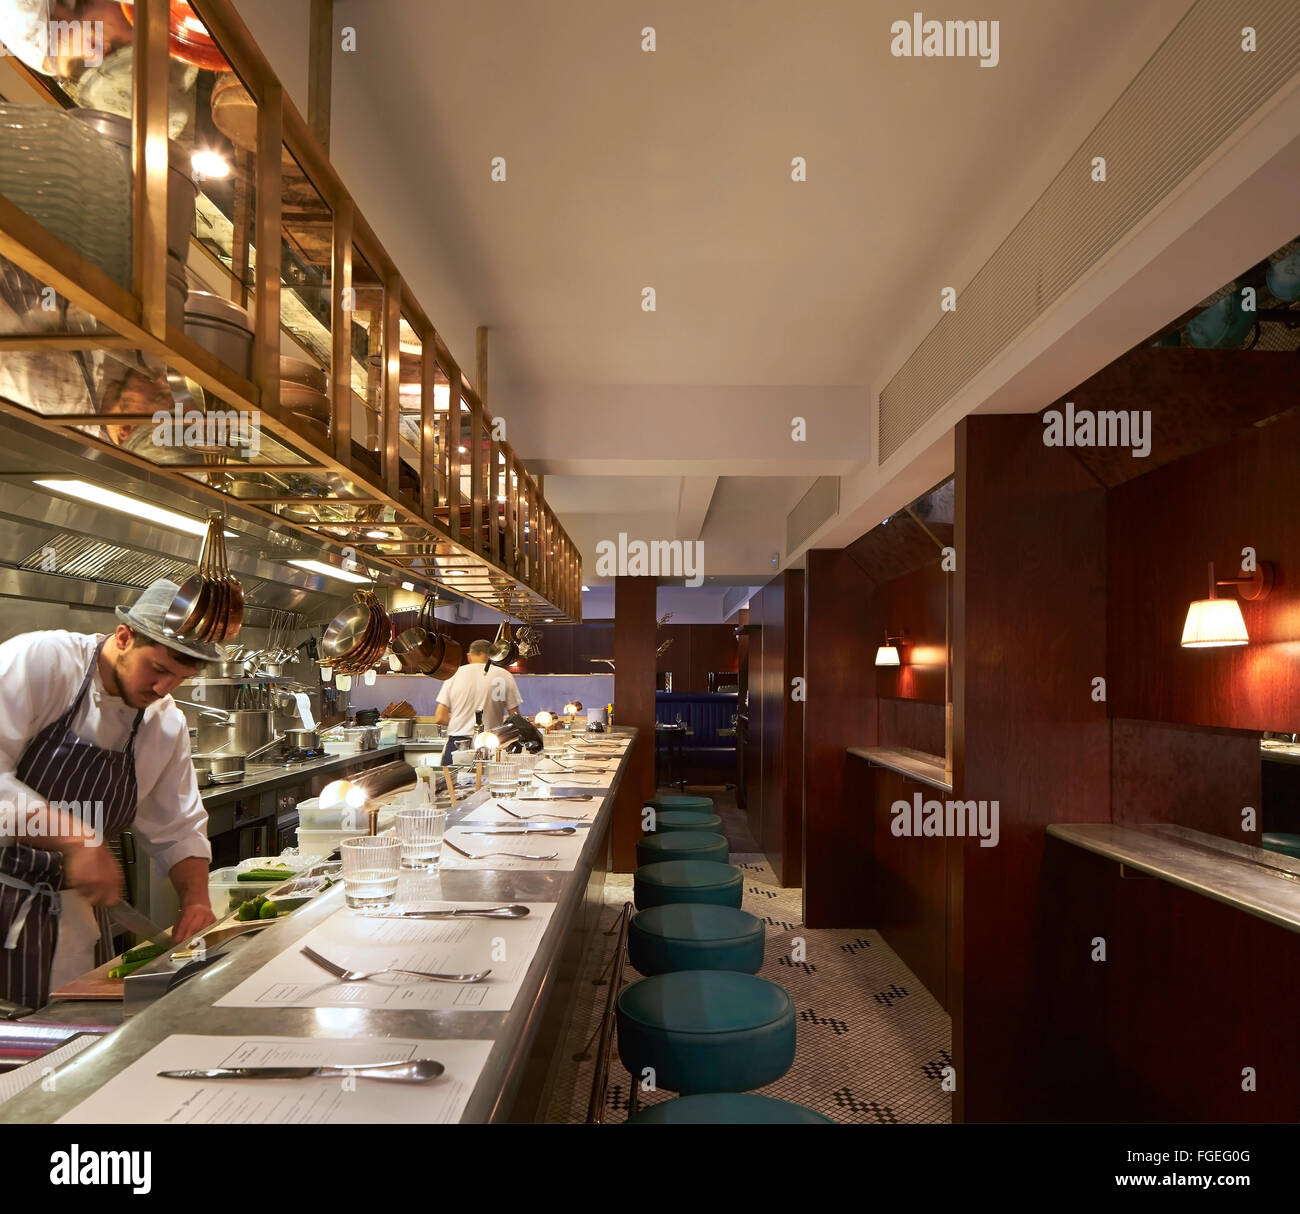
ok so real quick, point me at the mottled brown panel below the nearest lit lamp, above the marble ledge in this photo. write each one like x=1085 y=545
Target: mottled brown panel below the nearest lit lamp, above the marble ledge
x=1201 y=779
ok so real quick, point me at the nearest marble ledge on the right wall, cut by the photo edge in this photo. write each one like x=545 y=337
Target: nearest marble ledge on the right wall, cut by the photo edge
x=1266 y=885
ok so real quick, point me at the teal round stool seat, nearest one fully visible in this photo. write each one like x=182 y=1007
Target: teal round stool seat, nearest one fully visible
x=707 y=1031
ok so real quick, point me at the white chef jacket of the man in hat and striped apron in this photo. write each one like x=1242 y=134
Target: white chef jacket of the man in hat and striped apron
x=41 y=673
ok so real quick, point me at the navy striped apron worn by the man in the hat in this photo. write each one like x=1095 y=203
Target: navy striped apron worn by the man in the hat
x=59 y=766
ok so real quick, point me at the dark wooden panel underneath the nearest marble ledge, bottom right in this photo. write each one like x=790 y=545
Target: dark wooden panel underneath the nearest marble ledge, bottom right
x=1190 y=994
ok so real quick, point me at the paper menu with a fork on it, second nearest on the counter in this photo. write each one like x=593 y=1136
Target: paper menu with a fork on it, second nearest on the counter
x=506 y=947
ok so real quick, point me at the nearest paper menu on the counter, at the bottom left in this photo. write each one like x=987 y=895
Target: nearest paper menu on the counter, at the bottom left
x=138 y=1096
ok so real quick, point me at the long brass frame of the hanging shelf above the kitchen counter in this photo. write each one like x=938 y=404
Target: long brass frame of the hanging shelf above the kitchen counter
x=514 y=556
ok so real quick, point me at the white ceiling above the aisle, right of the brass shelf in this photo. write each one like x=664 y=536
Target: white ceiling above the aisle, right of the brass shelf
x=673 y=171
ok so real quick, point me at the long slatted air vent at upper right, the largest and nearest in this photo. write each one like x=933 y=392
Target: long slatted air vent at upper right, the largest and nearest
x=1194 y=93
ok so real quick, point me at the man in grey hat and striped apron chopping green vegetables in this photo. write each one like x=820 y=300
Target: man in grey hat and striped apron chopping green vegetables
x=92 y=745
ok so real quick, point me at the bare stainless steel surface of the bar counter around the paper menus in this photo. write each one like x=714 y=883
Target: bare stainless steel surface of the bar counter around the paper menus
x=189 y=1009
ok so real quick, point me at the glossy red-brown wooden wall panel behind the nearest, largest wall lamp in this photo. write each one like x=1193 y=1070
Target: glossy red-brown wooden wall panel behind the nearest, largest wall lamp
x=1164 y=528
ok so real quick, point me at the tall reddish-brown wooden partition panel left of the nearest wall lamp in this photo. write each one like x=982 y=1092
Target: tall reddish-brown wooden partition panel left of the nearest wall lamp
x=1029 y=638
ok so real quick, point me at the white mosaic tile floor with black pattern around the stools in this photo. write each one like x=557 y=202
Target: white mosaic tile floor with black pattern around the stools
x=872 y=1042
